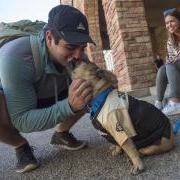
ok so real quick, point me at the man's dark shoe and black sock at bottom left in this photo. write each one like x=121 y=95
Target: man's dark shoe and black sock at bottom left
x=25 y=159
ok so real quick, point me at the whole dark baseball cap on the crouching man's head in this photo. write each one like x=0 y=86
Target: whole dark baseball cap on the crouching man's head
x=70 y=24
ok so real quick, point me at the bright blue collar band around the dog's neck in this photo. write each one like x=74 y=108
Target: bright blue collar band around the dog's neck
x=98 y=101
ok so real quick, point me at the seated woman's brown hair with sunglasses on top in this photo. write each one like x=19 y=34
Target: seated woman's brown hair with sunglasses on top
x=175 y=13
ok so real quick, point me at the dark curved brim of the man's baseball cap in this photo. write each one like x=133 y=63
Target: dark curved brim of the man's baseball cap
x=77 y=38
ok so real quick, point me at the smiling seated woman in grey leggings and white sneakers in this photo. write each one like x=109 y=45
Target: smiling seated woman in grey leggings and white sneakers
x=170 y=72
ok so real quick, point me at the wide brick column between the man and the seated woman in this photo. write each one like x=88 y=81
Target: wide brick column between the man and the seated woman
x=130 y=43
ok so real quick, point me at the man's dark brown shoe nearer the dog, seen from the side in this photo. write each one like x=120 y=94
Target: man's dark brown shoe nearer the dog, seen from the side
x=67 y=141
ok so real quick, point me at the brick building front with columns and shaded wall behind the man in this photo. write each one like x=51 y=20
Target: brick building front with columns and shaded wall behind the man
x=128 y=35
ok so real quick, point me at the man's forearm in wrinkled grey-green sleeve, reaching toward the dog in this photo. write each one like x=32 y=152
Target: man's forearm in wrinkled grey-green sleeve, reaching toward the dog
x=42 y=119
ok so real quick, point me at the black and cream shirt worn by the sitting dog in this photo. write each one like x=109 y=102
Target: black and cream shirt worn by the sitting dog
x=149 y=124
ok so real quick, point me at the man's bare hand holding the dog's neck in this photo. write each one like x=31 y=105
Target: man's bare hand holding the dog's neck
x=80 y=93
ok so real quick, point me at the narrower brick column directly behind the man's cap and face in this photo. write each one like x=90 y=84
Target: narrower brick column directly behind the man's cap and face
x=90 y=9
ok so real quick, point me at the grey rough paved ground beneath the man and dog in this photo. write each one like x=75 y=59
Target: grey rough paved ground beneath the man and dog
x=92 y=163
